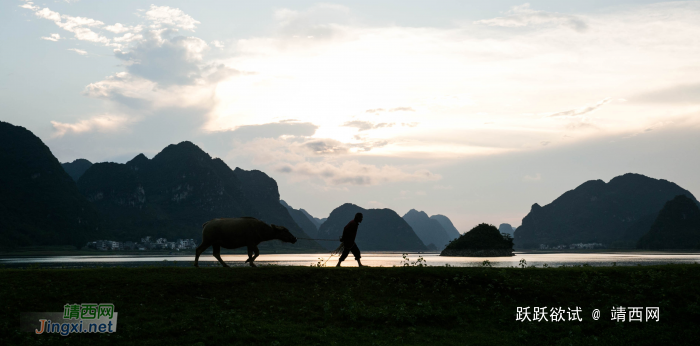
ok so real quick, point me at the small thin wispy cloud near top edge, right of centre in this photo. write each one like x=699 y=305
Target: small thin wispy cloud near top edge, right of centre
x=523 y=15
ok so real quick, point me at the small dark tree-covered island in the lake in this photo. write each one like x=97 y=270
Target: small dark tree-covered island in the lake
x=483 y=240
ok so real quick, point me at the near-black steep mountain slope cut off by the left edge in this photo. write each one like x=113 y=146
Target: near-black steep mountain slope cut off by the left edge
x=39 y=202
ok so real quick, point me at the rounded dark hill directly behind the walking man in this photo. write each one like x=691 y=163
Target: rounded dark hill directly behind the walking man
x=381 y=229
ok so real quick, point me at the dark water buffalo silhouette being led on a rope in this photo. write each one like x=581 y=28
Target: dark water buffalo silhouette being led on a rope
x=239 y=232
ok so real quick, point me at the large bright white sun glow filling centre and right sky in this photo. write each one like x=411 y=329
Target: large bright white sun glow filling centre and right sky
x=543 y=82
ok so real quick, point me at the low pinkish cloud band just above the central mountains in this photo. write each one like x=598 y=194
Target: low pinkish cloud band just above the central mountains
x=354 y=173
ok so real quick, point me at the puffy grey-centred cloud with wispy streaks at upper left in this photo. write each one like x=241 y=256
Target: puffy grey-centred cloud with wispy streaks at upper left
x=163 y=69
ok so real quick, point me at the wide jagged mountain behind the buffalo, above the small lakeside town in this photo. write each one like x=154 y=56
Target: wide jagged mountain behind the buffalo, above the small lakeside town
x=178 y=190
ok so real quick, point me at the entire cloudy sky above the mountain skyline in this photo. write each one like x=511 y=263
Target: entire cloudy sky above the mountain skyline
x=474 y=110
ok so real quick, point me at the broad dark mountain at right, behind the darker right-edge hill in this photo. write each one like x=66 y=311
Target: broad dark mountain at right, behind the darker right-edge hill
x=597 y=212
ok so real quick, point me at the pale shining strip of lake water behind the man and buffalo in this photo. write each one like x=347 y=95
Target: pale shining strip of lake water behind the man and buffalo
x=370 y=259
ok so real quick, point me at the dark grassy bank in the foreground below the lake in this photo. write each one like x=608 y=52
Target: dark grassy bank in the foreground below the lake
x=352 y=306
